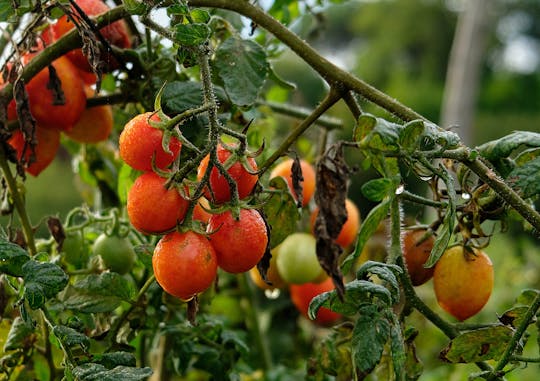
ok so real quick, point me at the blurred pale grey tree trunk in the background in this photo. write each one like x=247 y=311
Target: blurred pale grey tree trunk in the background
x=464 y=68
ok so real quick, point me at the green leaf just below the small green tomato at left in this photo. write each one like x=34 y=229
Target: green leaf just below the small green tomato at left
x=98 y=293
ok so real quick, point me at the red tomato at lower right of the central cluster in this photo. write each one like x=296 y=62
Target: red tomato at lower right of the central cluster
x=239 y=244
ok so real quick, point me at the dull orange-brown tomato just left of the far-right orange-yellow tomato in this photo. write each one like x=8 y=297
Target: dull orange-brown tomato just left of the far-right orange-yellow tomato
x=416 y=251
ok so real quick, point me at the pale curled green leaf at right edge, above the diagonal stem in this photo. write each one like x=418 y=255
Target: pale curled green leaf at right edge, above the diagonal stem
x=503 y=147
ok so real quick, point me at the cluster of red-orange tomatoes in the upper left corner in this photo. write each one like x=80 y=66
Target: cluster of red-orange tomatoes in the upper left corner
x=64 y=110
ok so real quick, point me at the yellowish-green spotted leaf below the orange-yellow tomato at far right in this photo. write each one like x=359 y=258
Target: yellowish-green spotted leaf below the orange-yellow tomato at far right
x=479 y=345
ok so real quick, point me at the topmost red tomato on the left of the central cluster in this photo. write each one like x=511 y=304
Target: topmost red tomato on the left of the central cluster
x=139 y=142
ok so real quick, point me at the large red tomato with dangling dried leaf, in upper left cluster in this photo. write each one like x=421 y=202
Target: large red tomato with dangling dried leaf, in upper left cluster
x=43 y=108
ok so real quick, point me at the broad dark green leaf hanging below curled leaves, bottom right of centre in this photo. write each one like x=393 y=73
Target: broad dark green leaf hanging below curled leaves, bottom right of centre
x=370 y=334
